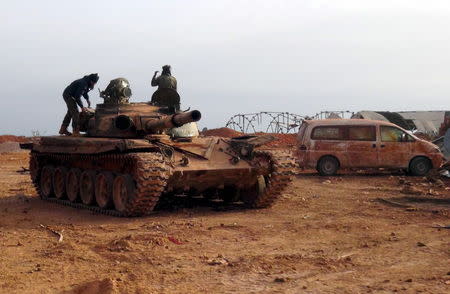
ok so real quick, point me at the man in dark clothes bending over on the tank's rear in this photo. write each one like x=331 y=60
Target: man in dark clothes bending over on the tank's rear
x=72 y=96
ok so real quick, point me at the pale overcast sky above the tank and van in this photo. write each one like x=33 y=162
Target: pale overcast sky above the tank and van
x=228 y=56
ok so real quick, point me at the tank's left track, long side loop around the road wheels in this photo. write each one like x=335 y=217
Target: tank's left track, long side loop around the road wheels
x=149 y=171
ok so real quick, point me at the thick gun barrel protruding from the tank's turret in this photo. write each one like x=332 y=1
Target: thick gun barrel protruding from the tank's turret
x=172 y=121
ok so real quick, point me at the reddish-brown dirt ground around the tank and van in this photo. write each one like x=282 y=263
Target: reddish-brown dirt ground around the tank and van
x=326 y=235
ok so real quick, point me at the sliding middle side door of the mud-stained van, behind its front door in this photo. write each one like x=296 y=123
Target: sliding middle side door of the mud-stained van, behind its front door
x=362 y=146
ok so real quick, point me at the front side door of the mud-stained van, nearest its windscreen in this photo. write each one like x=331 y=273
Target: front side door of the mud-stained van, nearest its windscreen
x=395 y=147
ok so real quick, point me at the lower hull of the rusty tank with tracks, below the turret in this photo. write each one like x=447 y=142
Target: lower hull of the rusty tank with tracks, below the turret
x=128 y=177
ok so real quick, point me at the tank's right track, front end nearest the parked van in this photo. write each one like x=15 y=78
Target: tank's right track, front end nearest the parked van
x=283 y=168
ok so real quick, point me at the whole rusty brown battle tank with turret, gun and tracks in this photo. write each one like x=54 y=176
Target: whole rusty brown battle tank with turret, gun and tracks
x=133 y=155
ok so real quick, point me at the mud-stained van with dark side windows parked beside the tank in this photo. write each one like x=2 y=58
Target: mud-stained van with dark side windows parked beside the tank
x=331 y=144
